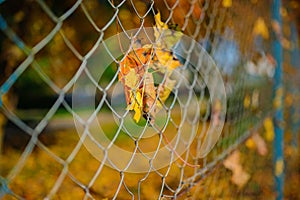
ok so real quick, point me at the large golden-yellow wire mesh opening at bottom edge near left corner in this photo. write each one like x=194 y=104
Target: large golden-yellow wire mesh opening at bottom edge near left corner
x=37 y=177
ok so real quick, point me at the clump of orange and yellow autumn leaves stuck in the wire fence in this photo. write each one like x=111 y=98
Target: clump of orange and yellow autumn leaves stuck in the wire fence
x=138 y=82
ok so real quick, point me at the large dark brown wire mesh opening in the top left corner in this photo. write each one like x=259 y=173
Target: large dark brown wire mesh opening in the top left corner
x=28 y=21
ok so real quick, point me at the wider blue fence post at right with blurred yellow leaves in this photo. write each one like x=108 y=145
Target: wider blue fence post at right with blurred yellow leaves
x=278 y=100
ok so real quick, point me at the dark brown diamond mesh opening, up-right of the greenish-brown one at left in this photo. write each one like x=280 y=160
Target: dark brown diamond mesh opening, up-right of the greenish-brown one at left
x=79 y=32
